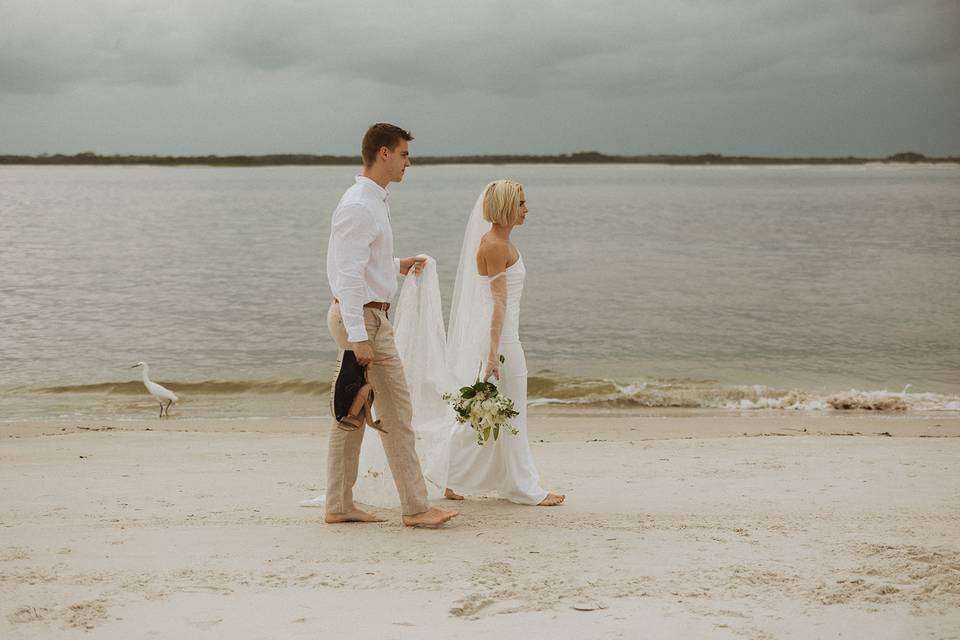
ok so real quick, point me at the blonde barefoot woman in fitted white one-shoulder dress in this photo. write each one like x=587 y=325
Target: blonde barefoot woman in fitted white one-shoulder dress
x=484 y=321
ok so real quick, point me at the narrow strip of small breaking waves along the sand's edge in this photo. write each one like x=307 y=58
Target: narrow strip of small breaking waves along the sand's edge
x=218 y=400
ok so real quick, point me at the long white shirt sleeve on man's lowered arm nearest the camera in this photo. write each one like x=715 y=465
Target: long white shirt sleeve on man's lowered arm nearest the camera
x=353 y=229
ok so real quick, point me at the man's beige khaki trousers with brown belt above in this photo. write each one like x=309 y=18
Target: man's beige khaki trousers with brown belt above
x=391 y=404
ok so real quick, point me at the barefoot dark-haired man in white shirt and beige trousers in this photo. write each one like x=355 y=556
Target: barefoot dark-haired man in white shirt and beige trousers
x=362 y=273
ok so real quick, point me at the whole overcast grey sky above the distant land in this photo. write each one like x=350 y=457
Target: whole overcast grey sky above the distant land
x=783 y=77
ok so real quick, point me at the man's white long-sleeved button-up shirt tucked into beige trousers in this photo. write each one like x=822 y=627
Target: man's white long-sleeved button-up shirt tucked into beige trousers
x=361 y=267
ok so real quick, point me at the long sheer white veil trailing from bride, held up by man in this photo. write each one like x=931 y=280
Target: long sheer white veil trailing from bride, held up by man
x=433 y=364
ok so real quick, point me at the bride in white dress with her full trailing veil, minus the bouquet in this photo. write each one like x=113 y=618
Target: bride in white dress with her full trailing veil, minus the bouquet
x=484 y=324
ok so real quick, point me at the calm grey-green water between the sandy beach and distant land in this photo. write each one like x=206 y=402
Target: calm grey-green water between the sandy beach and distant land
x=817 y=288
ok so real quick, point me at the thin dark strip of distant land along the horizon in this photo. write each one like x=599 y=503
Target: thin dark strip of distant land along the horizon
x=582 y=157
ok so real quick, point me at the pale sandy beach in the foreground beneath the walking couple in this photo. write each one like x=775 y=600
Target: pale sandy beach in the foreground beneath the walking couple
x=677 y=525
